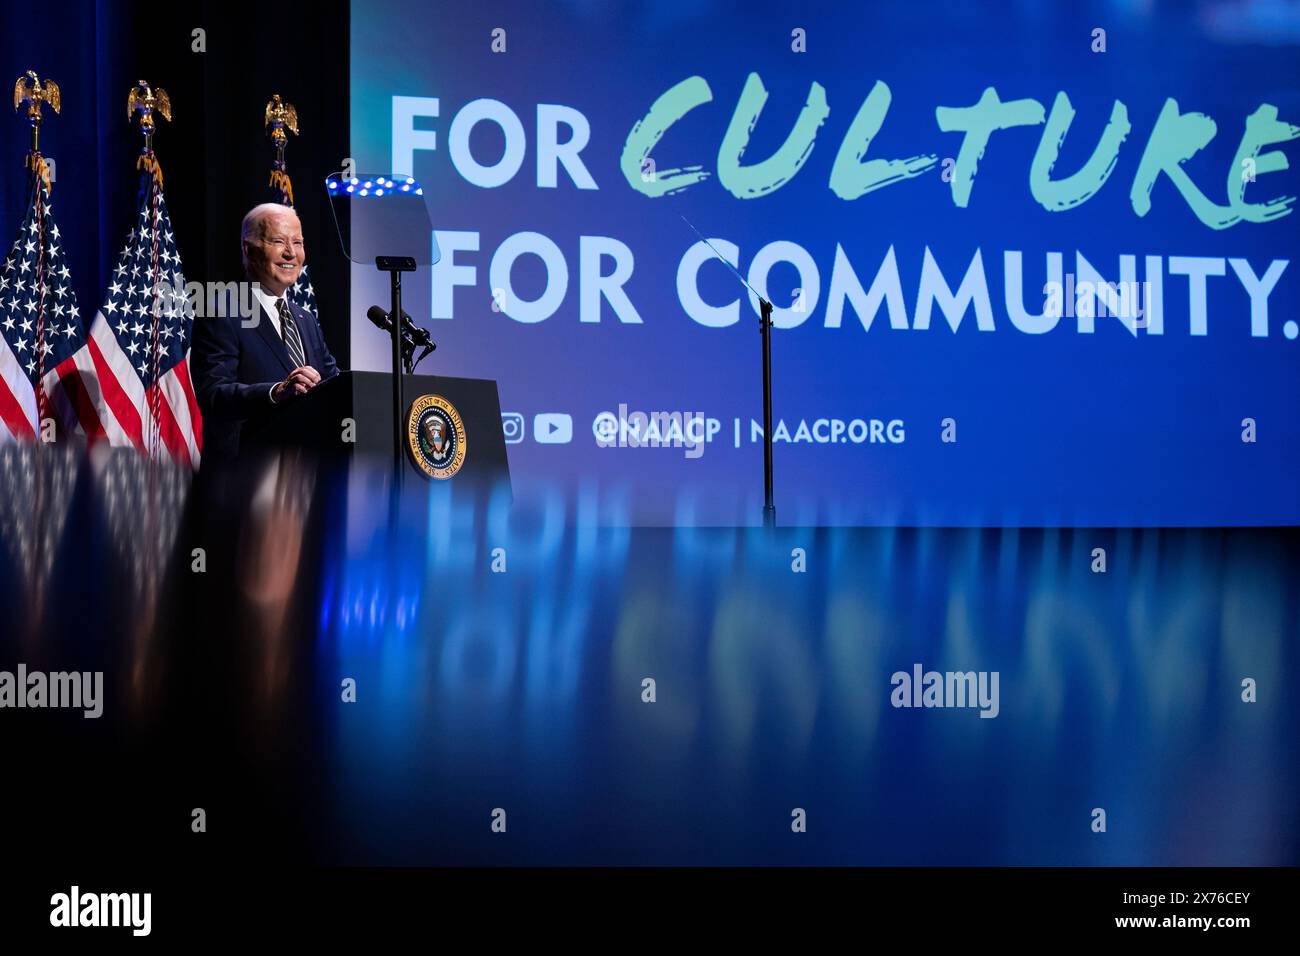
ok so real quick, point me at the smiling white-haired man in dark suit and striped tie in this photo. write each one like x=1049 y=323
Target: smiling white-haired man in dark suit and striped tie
x=245 y=366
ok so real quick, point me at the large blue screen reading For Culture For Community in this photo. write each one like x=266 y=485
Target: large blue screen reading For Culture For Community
x=1030 y=262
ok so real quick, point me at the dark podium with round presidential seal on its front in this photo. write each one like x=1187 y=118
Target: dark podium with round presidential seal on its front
x=318 y=421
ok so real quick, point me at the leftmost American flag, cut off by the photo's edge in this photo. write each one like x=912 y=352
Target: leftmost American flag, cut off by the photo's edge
x=42 y=335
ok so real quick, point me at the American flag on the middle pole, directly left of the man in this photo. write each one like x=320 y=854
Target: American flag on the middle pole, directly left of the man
x=140 y=343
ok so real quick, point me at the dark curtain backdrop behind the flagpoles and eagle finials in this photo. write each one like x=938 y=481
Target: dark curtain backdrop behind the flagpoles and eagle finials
x=215 y=154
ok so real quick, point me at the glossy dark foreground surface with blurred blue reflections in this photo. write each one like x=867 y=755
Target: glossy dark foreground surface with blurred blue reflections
x=330 y=685
